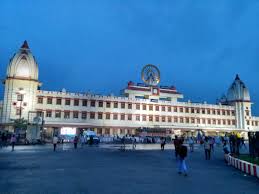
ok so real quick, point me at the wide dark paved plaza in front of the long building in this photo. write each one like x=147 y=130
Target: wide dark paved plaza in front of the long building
x=107 y=170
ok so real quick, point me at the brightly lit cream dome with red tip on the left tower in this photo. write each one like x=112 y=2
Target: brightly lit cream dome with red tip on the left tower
x=23 y=64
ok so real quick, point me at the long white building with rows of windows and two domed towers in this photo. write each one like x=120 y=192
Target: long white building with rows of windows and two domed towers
x=140 y=106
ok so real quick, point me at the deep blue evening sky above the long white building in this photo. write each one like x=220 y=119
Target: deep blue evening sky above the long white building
x=100 y=45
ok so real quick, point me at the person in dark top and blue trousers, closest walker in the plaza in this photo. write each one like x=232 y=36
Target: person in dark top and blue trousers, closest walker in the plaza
x=182 y=168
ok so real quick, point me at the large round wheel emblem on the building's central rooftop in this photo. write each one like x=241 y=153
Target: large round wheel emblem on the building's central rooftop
x=150 y=75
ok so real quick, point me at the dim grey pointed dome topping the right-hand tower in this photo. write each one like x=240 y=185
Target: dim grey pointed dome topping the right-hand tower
x=238 y=91
